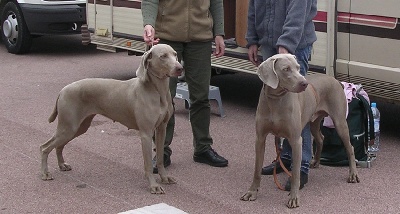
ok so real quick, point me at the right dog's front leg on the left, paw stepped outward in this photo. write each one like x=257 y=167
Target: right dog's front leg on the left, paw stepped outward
x=251 y=194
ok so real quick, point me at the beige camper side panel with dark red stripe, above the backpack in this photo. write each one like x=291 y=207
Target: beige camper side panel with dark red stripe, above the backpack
x=375 y=46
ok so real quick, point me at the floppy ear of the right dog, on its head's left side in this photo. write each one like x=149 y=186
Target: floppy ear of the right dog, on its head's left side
x=266 y=72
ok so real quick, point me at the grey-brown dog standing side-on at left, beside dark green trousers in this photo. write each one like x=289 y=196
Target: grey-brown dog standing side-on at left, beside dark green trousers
x=142 y=103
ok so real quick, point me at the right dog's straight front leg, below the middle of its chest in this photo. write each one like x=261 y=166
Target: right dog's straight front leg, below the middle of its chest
x=296 y=164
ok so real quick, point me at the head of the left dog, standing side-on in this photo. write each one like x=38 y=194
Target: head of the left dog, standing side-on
x=160 y=61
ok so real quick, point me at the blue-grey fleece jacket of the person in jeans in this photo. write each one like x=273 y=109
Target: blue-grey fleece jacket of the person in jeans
x=286 y=23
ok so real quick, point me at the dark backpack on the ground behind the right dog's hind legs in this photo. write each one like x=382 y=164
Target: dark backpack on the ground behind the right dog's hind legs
x=333 y=151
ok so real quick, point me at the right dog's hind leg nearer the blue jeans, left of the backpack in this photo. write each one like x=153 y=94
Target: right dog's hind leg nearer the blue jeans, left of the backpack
x=319 y=139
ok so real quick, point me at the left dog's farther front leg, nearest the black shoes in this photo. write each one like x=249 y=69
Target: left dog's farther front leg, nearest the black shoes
x=159 y=140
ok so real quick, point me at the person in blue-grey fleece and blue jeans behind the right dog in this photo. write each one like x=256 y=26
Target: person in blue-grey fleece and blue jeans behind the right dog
x=279 y=27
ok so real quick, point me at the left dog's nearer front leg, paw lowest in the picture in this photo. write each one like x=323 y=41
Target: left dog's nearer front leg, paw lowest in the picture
x=155 y=188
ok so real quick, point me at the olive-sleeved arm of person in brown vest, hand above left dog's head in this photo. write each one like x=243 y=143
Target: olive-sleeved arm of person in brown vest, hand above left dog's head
x=149 y=15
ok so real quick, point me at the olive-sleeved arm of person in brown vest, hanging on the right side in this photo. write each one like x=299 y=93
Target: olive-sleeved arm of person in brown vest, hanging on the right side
x=217 y=12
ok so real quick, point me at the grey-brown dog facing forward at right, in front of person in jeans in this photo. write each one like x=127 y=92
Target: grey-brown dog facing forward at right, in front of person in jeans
x=287 y=102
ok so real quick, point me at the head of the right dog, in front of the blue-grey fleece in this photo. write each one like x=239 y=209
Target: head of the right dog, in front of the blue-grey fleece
x=282 y=70
